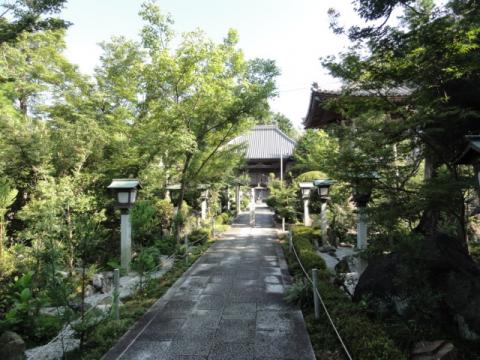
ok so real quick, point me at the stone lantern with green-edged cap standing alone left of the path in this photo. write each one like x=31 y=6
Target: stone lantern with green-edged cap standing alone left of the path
x=126 y=193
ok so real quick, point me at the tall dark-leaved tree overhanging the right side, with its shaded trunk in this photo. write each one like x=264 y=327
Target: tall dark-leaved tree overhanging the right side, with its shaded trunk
x=432 y=60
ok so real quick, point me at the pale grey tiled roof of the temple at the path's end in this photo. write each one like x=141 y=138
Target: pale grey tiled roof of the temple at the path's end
x=266 y=142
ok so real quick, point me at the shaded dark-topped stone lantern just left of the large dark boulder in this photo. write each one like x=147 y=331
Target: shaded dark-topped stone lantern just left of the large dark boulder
x=362 y=187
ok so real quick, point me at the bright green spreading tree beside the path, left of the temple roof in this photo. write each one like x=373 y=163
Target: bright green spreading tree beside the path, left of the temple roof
x=199 y=95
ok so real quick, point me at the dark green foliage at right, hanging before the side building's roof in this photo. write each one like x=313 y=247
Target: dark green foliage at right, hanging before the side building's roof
x=422 y=111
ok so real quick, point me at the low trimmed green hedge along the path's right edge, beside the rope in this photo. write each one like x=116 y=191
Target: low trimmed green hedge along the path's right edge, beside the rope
x=364 y=337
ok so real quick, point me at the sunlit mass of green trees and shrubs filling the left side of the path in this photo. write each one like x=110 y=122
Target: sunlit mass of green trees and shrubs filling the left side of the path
x=161 y=109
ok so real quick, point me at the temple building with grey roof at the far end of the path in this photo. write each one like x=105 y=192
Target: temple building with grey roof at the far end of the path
x=267 y=150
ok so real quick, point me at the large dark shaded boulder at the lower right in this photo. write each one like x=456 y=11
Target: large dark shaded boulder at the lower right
x=440 y=273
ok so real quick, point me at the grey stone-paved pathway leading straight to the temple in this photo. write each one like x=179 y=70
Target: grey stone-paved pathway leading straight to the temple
x=228 y=305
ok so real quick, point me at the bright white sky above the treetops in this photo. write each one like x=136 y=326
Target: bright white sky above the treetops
x=294 y=33
